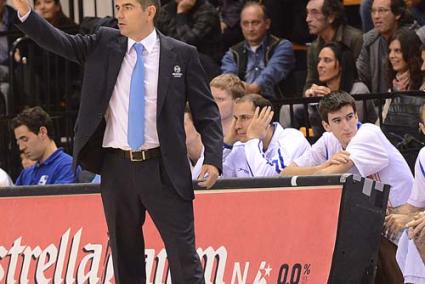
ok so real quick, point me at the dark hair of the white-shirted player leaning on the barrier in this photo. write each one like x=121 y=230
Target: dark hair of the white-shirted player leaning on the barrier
x=334 y=102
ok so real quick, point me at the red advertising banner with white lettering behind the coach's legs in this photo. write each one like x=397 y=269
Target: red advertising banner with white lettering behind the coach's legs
x=267 y=235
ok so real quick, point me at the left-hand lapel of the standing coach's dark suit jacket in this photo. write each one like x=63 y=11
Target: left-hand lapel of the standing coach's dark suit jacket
x=116 y=50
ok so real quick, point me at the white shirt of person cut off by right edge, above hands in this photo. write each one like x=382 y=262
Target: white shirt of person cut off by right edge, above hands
x=417 y=197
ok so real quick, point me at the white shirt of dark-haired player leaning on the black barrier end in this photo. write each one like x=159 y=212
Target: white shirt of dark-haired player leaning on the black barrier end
x=373 y=156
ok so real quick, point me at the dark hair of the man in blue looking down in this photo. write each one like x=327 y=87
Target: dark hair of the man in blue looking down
x=34 y=118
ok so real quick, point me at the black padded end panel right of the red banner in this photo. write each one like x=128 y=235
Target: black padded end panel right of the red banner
x=361 y=219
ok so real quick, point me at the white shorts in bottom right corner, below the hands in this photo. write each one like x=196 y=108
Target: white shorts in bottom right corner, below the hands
x=410 y=261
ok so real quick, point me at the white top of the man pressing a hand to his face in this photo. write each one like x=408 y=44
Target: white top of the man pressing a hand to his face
x=249 y=160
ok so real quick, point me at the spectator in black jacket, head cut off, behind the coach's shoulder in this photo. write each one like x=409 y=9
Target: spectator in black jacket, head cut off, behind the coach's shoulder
x=195 y=22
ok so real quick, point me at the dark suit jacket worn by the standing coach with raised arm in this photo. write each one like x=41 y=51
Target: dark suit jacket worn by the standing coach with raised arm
x=102 y=54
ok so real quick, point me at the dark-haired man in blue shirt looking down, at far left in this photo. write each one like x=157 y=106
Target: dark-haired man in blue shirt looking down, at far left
x=33 y=132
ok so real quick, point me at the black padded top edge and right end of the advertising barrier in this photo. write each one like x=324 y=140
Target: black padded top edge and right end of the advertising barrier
x=361 y=215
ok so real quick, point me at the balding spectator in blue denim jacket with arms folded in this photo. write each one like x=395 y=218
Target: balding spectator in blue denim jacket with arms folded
x=262 y=60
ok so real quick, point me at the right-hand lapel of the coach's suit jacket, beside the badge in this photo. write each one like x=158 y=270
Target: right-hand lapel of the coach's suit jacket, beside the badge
x=166 y=65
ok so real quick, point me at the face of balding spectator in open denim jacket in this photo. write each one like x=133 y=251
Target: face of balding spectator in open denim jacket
x=254 y=25
